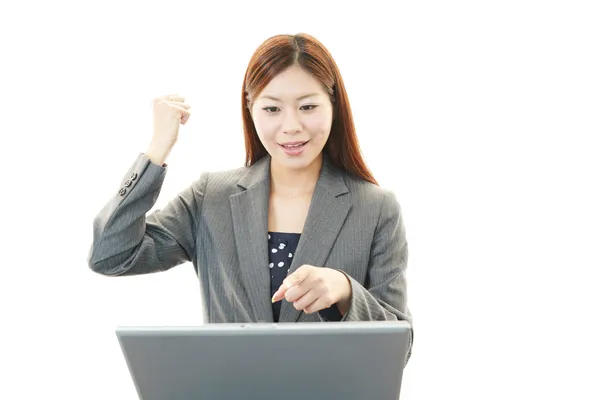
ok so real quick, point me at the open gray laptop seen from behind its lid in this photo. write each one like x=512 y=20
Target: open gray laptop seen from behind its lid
x=347 y=360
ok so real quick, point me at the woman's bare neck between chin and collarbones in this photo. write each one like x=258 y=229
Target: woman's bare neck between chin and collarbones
x=295 y=182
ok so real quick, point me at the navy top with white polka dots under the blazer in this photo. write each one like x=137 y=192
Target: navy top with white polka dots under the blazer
x=282 y=247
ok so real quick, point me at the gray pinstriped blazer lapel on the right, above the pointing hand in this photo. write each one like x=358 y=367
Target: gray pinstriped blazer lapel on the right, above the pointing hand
x=328 y=210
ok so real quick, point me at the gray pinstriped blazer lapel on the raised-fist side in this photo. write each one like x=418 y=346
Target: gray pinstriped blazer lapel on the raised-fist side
x=249 y=209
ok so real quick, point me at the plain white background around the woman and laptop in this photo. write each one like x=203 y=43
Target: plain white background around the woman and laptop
x=482 y=116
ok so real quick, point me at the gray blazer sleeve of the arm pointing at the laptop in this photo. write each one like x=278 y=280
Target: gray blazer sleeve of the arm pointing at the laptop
x=383 y=297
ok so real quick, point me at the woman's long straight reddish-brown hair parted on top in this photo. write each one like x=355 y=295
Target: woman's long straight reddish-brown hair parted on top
x=274 y=56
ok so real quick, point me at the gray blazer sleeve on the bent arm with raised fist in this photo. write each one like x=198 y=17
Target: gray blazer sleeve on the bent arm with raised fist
x=127 y=242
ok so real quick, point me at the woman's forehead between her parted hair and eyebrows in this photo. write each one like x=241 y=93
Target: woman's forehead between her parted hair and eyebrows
x=293 y=83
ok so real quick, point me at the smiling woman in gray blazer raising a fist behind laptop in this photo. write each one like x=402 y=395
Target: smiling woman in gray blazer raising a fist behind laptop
x=301 y=233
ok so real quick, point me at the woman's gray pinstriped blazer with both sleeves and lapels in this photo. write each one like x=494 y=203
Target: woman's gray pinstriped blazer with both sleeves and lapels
x=219 y=223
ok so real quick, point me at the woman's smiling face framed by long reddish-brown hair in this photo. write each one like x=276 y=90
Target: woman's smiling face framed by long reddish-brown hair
x=293 y=116
